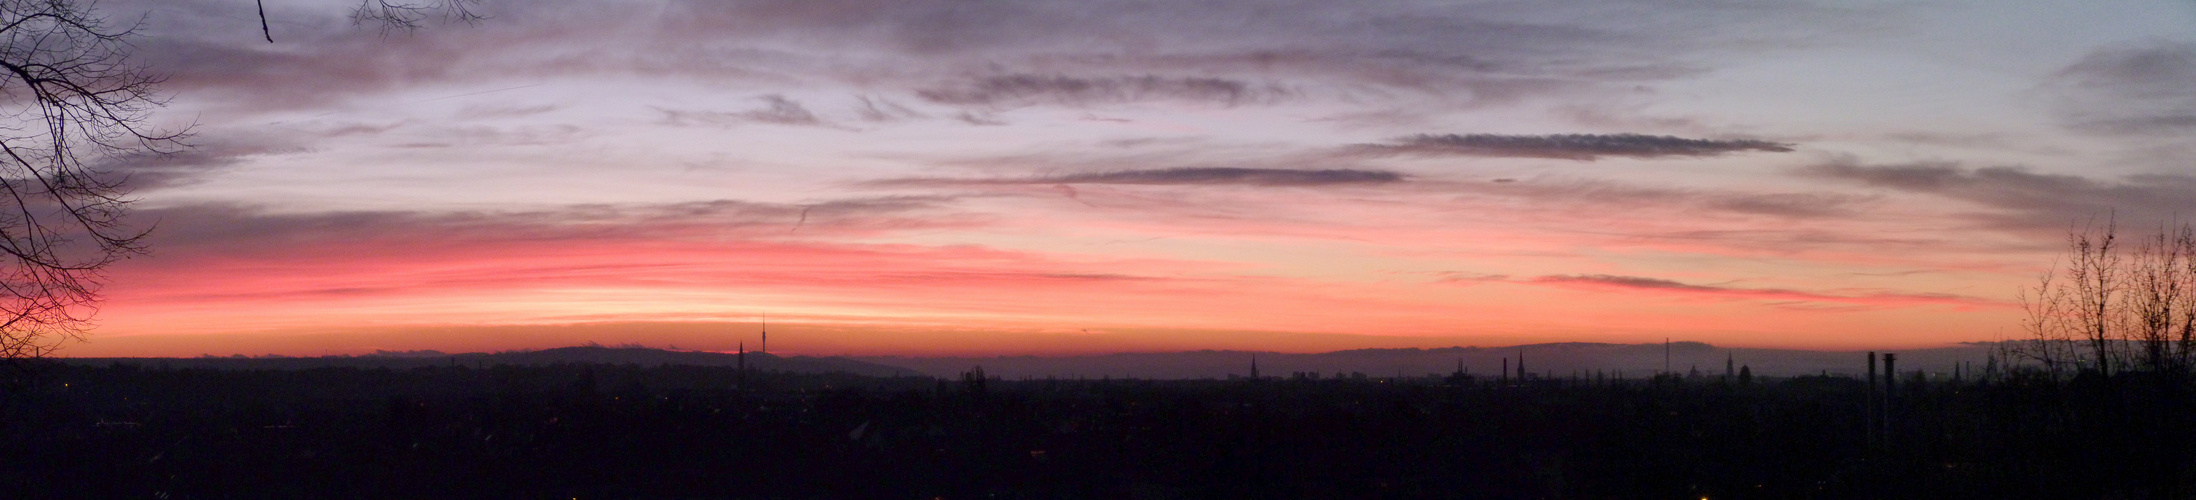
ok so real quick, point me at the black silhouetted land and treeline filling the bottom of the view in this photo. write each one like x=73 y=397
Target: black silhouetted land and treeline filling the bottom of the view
x=607 y=431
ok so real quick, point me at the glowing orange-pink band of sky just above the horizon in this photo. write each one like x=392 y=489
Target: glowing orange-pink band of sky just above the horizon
x=941 y=302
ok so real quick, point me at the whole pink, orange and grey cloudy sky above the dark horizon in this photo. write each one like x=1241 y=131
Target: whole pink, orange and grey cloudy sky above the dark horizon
x=987 y=177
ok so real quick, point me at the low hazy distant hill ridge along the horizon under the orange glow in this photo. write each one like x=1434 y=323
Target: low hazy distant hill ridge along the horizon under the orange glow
x=1549 y=361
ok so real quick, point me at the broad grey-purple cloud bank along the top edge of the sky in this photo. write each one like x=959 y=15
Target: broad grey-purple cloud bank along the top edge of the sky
x=956 y=54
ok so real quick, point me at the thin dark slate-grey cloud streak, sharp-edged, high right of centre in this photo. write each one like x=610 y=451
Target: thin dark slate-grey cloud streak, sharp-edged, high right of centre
x=1584 y=148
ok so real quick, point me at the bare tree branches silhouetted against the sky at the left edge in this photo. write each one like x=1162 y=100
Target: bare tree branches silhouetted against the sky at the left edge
x=69 y=98
